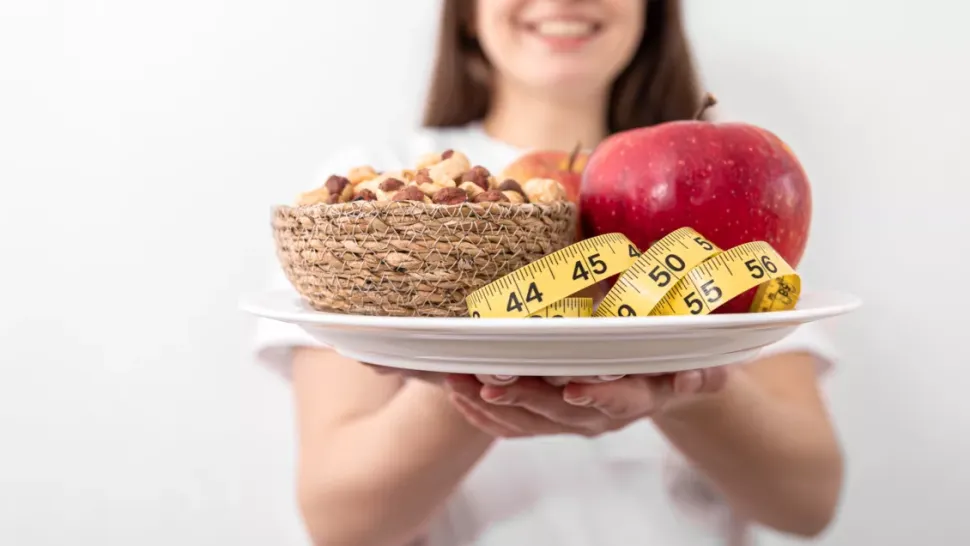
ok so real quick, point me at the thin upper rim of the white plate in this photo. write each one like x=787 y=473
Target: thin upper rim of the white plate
x=254 y=303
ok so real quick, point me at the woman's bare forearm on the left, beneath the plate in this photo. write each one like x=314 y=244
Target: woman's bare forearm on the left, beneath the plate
x=374 y=448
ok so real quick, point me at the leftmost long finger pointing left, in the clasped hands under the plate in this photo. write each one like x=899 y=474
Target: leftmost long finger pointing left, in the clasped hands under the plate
x=544 y=400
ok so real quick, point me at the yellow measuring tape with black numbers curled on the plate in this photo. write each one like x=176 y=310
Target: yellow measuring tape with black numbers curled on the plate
x=682 y=274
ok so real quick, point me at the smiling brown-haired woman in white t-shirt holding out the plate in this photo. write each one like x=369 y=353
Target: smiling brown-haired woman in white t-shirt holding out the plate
x=386 y=460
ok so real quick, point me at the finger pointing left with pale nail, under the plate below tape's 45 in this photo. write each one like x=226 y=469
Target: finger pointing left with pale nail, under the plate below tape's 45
x=630 y=397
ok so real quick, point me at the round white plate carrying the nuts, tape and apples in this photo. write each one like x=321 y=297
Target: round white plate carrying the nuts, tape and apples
x=550 y=347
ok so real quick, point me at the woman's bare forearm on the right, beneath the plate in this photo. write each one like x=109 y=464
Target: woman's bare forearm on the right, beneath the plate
x=765 y=440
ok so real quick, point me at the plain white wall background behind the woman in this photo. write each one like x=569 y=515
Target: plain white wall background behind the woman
x=141 y=144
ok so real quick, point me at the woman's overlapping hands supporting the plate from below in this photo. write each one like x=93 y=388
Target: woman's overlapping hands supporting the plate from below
x=510 y=407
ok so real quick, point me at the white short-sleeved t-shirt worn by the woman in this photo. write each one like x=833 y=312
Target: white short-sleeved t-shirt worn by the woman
x=627 y=487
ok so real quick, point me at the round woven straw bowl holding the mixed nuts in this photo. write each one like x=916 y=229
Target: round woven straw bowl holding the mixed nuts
x=401 y=258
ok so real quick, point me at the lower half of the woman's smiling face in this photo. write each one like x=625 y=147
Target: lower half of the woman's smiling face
x=575 y=47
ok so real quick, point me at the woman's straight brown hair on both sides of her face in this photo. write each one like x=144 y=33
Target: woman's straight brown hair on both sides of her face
x=658 y=85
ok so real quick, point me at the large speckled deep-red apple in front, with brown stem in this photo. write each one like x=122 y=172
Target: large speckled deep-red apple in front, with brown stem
x=732 y=182
